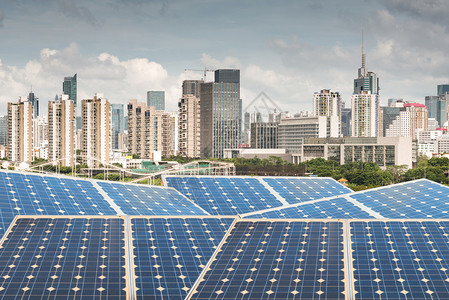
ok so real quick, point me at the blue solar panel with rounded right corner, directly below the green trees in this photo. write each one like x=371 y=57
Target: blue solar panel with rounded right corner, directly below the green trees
x=300 y=189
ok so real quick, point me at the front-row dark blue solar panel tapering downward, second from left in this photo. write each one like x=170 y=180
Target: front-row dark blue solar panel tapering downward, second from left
x=170 y=253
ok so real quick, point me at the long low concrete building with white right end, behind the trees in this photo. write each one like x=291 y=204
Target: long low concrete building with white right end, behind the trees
x=382 y=151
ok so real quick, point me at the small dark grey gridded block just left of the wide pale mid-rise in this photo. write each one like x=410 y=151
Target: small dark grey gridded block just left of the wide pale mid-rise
x=264 y=135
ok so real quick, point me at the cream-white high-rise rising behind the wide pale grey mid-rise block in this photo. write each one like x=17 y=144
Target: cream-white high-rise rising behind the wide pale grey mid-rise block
x=328 y=104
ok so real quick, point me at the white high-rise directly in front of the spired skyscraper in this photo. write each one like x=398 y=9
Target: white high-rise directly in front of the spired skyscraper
x=365 y=108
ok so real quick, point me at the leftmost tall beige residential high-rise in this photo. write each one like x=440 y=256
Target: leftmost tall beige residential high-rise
x=20 y=131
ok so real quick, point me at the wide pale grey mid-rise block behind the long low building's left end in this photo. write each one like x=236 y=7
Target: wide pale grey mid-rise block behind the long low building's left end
x=292 y=131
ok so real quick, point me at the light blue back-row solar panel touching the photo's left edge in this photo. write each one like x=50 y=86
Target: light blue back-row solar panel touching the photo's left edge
x=28 y=194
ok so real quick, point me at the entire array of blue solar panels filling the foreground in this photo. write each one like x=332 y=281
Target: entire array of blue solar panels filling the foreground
x=281 y=239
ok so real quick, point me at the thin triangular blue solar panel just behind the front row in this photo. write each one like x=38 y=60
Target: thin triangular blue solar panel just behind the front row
x=334 y=208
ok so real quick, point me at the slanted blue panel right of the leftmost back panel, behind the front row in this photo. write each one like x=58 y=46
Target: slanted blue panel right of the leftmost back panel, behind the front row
x=149 y=200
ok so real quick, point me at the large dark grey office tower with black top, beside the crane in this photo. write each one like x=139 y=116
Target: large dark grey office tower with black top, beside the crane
x=220 y=113
